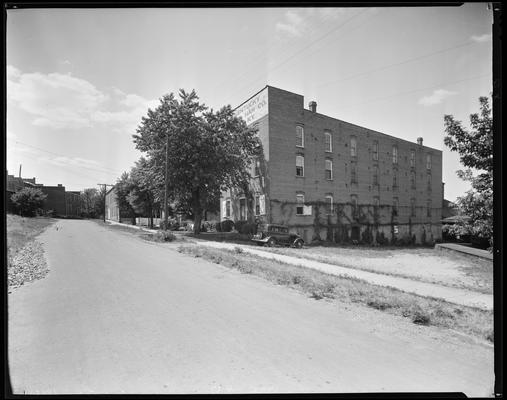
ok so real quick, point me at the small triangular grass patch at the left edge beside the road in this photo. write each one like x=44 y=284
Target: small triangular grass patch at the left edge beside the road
x=23 y=230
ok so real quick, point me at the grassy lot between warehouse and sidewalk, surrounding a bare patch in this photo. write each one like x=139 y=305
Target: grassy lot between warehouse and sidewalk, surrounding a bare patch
x=479 y=270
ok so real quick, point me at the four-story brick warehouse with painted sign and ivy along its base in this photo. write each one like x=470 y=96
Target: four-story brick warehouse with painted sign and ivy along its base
x=332 y=180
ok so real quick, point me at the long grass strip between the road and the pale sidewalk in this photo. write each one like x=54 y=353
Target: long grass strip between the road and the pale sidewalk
x=420 y=310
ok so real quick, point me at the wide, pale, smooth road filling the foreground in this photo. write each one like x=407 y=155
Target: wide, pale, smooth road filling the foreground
x=120 y=315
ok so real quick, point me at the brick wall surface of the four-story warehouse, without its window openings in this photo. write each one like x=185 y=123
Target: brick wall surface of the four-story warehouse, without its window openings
x=280 y=183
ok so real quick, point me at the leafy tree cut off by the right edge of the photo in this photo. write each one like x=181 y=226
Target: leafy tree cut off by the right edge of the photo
x=475 y=148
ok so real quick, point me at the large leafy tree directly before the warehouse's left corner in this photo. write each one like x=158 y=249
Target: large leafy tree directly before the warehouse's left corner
x=207 y=151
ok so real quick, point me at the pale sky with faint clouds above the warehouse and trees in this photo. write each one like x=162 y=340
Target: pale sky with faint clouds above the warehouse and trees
x=80 y=80
